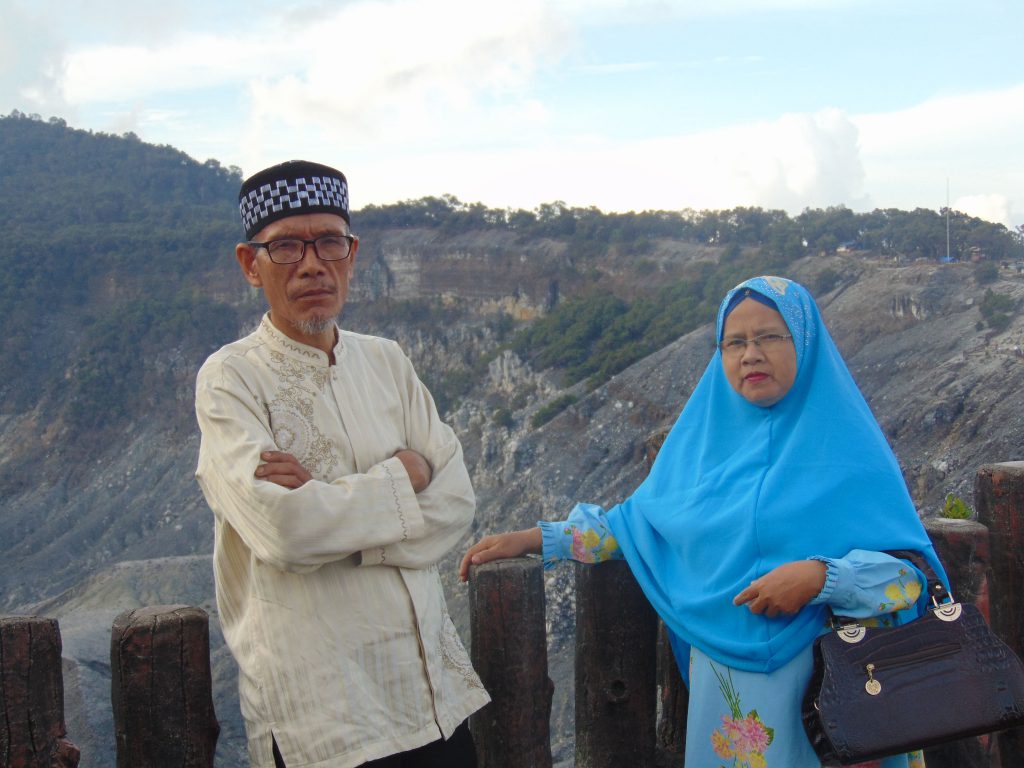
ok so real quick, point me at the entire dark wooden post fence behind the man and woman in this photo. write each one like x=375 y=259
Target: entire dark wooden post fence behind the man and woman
x=630 y=703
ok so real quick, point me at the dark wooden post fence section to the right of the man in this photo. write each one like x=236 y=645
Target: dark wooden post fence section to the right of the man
x=630 y=702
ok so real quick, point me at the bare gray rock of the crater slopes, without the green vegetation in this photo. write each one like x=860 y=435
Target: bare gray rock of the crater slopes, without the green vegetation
x=133 y=529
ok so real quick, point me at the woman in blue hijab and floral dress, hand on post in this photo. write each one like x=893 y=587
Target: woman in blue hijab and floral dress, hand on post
x=774 y=496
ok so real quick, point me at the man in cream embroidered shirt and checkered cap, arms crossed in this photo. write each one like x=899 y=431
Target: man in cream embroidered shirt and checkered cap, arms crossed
x=335 y=489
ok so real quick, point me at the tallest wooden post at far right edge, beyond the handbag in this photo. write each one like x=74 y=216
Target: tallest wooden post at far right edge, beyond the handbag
x=999 y=499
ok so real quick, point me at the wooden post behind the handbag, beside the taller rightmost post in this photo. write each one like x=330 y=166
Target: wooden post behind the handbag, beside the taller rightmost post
x=963 y=547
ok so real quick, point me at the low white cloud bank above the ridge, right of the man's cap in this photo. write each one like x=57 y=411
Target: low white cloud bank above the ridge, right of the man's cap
x=792 y=163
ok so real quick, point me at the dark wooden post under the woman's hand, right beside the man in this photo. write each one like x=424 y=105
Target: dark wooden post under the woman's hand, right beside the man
x=509 y=649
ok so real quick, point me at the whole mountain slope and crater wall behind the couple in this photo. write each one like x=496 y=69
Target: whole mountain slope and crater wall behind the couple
x=117 y=292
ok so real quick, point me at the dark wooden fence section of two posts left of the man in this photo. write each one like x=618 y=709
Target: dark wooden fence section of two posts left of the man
x=160 y=690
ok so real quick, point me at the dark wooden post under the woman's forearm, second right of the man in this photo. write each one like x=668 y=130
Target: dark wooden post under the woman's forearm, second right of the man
x=616 y=684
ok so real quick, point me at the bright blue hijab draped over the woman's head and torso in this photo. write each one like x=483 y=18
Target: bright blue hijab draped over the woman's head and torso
x=739 y=490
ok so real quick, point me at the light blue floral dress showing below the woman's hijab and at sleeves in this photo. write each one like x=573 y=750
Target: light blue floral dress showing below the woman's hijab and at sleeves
x=741 y=719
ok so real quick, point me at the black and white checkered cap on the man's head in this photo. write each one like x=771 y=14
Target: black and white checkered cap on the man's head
x=289 y=190
